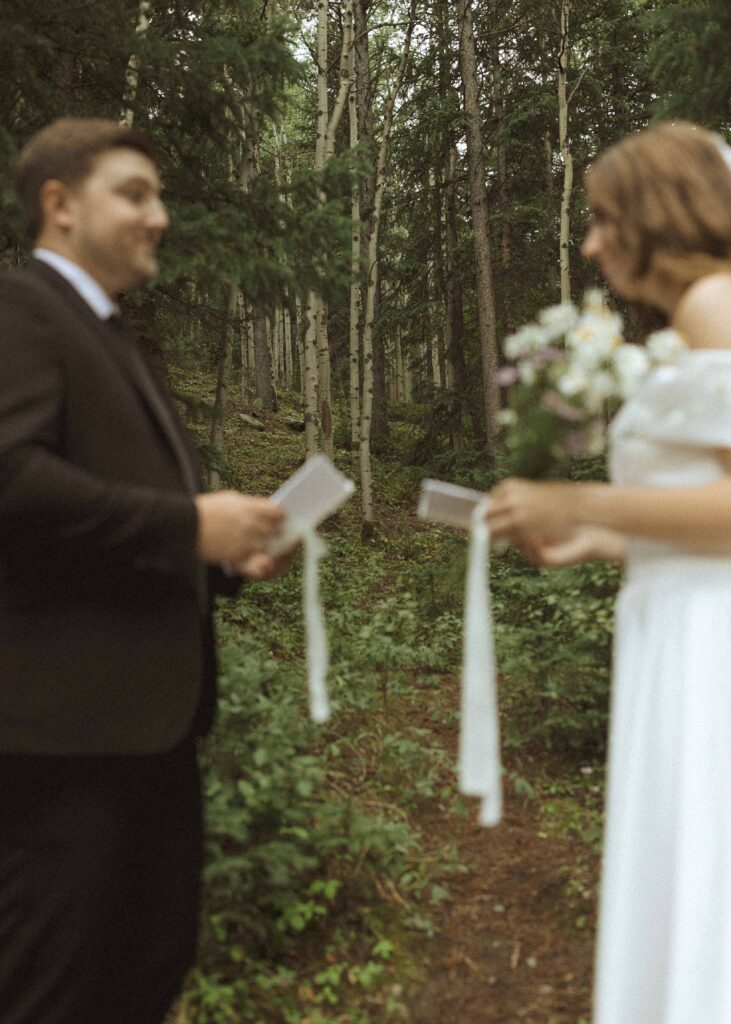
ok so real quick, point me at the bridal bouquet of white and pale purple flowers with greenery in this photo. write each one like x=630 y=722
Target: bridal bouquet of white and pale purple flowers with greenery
x=568 y=374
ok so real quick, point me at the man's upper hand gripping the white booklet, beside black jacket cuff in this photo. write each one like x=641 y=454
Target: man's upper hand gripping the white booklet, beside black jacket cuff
x=234 y=528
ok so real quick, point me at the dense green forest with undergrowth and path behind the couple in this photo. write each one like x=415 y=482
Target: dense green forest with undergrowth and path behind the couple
x=367 y=197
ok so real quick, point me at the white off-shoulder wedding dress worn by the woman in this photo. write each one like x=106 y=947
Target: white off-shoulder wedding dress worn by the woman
x=665 y=932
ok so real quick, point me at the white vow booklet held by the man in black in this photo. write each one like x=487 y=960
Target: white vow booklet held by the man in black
x=312 y=494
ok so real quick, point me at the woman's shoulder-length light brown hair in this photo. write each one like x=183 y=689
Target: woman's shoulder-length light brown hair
x=669 y=192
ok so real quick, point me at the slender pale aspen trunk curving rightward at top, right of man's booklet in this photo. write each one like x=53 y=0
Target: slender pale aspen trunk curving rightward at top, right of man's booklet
x=373 y=273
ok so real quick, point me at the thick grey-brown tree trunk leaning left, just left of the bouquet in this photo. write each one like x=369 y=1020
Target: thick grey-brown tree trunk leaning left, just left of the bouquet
x=481 y=224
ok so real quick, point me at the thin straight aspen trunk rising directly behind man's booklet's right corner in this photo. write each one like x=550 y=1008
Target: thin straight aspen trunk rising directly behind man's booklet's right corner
x=355 y=338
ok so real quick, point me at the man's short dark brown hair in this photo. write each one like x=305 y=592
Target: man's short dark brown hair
x=66 y=151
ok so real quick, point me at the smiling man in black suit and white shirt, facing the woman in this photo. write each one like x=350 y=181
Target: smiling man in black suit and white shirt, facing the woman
x=110 y=556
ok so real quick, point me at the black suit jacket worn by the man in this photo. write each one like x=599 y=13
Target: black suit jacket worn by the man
x=106 y=637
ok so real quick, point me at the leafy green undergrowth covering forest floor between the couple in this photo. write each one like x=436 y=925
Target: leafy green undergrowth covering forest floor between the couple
x=320 y=886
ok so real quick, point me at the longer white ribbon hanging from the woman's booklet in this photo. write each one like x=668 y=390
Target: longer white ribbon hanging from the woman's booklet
x=480 y=735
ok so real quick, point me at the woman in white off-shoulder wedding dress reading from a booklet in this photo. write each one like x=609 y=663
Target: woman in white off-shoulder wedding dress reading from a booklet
x=661 y=232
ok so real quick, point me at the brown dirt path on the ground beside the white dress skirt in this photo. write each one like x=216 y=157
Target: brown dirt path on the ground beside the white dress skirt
x=508 y=949
